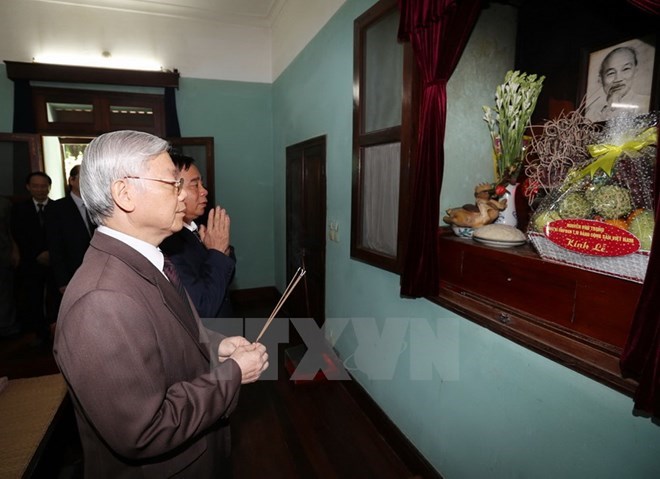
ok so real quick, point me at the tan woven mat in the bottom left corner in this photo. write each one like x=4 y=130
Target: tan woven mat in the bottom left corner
x=27 y=407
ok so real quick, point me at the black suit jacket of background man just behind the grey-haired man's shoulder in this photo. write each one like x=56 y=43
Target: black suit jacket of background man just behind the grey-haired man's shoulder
x=68 y=239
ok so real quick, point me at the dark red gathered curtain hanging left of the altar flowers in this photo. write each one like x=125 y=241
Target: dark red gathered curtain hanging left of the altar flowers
x=438 y=31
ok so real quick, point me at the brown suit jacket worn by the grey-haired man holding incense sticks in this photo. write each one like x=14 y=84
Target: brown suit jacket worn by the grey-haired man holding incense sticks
x=151 y=398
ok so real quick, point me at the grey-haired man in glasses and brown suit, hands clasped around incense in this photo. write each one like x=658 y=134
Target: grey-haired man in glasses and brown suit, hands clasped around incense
x=151 y=387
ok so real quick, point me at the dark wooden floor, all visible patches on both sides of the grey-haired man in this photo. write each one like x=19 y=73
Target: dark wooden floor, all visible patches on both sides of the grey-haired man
x=280 y=429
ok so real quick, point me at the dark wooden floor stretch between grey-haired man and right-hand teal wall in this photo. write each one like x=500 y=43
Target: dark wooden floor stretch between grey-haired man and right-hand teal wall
x=282 y=429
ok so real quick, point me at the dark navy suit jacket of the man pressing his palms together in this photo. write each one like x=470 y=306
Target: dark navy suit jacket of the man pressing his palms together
x=205 y=273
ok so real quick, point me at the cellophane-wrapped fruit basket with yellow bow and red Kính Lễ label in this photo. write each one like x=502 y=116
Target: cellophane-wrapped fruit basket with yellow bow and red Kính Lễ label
x=601 y=217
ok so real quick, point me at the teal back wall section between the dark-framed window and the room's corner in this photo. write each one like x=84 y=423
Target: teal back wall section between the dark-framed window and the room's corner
x=239 y=116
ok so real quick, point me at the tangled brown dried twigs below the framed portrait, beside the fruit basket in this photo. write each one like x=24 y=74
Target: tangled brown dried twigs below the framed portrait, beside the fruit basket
x=561 y=146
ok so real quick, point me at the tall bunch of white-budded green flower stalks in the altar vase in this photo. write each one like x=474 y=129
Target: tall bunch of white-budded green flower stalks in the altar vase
x=515 y=101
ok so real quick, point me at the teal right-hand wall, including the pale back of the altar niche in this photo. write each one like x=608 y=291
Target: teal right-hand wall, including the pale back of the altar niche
x=493 y=408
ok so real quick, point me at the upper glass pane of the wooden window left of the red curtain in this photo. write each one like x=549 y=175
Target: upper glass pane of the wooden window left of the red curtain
x=383 y=87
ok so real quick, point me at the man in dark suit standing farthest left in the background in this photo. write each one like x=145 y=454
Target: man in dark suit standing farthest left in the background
x=34 y=275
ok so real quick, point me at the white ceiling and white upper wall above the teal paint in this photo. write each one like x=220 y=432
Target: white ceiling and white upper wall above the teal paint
x=241 y=40
